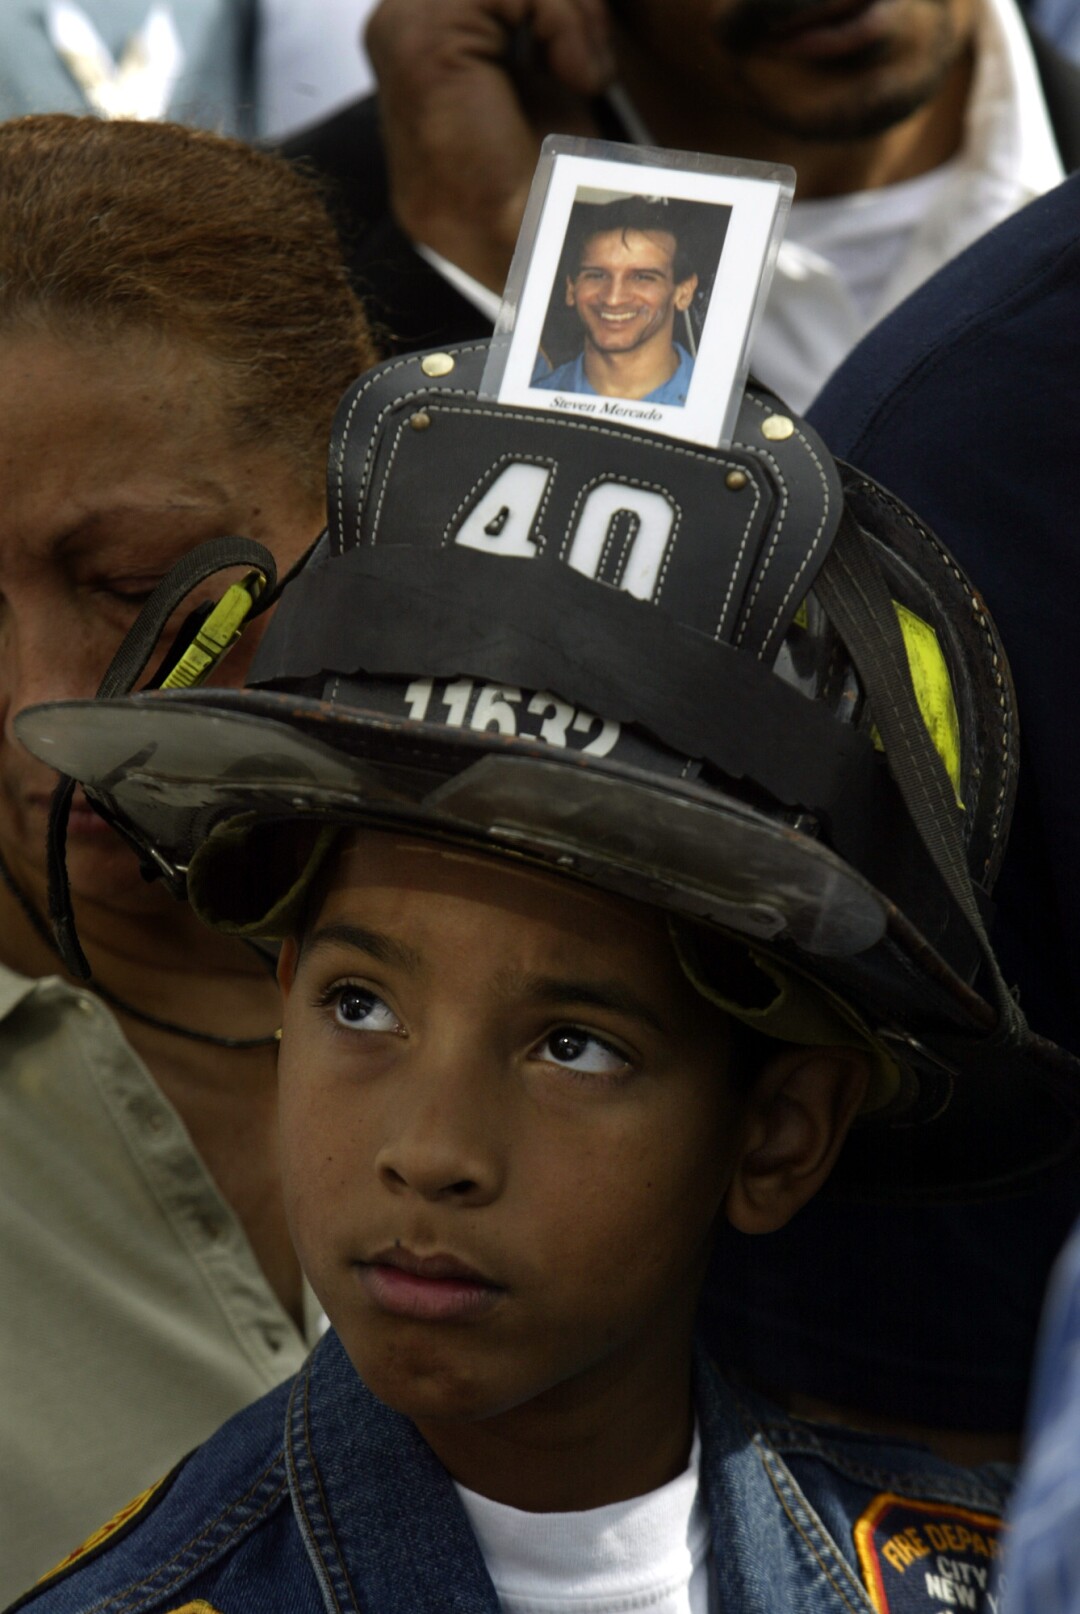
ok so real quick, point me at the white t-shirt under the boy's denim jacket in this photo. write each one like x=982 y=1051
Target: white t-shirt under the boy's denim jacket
x=645 y=1557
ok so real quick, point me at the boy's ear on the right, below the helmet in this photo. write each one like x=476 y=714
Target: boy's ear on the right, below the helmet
x=797 y=1121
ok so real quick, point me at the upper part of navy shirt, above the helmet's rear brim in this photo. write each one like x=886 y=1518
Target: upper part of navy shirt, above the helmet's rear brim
x=966 y=403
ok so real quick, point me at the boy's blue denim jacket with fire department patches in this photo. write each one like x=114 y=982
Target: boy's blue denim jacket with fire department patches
x=320 y=1499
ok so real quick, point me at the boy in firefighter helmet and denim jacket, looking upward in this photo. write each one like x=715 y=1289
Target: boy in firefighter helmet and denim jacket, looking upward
x=577 y=964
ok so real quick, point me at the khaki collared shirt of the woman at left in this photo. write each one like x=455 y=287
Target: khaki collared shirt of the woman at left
x=135 y=1318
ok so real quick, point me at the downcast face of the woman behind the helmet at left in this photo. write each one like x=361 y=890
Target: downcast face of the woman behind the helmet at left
x=115 y=459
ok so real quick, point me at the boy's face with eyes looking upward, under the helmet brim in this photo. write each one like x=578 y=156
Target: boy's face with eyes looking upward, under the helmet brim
x=504 y=1077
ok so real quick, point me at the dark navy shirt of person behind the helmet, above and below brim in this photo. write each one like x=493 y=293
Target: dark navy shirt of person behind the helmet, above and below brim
x=966 y=404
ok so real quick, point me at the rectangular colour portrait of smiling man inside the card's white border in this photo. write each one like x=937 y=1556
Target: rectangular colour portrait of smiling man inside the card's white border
x=637 y=274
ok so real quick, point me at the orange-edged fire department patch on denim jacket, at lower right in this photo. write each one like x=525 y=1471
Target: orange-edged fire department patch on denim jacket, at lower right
x=929 y=1558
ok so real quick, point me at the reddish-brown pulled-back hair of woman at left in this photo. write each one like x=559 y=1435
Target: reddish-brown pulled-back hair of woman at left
x=206 y=241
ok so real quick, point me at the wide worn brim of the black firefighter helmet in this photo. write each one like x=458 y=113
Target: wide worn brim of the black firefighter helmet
x=170 y=767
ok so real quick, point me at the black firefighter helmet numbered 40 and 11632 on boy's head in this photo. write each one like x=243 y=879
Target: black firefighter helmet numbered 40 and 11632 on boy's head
x=743 y=685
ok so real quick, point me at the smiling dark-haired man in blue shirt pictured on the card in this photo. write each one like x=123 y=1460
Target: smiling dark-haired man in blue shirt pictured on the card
x=632 y=278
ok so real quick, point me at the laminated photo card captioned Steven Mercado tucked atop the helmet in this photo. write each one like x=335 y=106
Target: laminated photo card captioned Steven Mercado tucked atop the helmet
x=637 y=286
